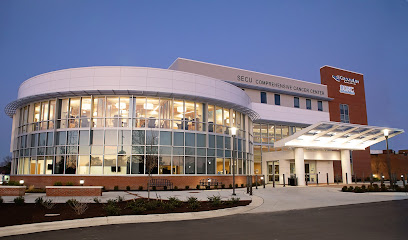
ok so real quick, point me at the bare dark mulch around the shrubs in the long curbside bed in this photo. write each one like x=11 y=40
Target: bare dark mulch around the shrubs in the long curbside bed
x=13 y=214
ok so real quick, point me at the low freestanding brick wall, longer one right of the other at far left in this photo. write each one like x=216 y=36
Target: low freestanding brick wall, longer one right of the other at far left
x=73 y=191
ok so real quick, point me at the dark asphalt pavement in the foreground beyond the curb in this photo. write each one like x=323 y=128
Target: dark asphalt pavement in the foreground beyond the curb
x=380 y=220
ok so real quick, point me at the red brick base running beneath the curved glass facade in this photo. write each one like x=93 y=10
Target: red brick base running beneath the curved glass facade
x=109 y=182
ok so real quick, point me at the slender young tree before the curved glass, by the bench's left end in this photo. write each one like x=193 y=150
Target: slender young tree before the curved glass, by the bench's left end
x=152 y=138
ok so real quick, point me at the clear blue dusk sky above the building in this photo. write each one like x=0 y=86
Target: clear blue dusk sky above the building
x=285 y=38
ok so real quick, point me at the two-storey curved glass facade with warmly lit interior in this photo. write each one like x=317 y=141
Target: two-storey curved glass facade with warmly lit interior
x=119 y=135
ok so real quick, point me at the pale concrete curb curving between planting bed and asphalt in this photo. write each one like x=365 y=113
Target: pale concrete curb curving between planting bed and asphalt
x=101 y=221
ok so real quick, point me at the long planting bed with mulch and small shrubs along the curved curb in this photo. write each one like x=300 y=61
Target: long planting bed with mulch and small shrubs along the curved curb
x=24 y=213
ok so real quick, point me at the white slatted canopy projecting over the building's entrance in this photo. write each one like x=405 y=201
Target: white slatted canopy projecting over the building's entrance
x=337 y=135
